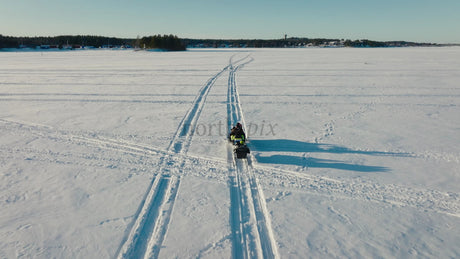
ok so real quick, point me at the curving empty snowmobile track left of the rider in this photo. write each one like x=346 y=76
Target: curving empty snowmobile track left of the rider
x=151 y=223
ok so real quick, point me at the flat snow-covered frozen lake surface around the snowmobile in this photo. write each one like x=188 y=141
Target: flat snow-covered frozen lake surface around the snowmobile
x=111 y=154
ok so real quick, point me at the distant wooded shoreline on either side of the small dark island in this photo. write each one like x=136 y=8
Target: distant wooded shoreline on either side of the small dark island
x=72 y=42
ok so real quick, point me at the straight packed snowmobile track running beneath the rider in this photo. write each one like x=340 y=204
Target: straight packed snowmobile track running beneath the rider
x=252 y=235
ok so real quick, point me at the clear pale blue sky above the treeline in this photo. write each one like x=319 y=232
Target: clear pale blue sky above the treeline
x=435 y=21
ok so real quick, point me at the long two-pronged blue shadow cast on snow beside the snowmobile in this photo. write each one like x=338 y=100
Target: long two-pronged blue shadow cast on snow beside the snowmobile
x=286 y=145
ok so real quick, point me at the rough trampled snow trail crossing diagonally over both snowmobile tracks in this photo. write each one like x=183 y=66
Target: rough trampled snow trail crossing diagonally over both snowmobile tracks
x=402 y=196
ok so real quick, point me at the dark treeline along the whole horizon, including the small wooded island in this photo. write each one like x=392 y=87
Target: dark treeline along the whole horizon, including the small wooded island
x=173 y=43
